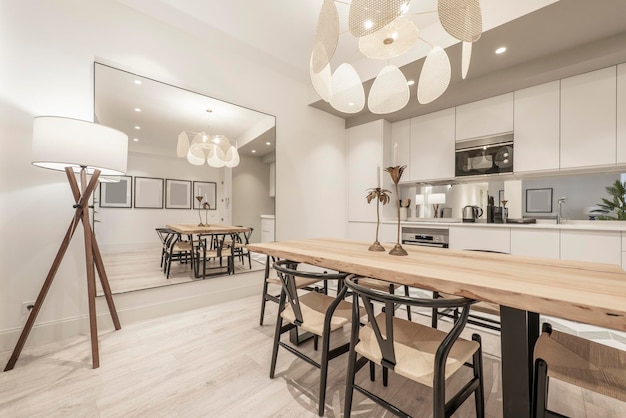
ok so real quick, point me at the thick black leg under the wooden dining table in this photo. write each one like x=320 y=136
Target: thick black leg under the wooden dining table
x=520 y=330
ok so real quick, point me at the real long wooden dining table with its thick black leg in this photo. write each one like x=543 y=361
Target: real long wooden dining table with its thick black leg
x=524 y=287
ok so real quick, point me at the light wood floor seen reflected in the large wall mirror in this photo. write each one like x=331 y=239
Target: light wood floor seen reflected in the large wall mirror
x=140 y=269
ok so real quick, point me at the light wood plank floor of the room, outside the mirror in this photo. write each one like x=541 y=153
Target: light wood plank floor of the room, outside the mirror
x=214 y=362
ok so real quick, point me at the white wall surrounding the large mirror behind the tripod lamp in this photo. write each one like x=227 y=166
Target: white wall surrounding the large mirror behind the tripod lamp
x=47 y=48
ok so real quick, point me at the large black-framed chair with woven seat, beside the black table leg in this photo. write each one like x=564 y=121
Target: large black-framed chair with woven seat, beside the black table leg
x=417 y=352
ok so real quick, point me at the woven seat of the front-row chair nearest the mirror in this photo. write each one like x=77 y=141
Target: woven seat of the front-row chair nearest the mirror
x=314 y=306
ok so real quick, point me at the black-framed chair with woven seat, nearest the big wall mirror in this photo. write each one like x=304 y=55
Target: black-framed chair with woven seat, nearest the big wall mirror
x=312 y=312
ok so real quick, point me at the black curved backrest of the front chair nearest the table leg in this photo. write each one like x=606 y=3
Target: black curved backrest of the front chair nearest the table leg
x=385 y=342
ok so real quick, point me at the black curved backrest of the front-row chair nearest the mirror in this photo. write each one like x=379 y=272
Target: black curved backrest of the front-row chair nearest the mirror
x=288 y=271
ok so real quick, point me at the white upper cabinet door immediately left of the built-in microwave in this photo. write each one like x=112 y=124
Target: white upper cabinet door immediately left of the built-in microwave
x=432 y=146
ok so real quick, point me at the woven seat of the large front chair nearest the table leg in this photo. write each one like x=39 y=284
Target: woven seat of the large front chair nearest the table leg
x=415 y=346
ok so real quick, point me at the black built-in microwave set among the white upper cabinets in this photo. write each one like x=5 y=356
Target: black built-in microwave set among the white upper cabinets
x=488 y=155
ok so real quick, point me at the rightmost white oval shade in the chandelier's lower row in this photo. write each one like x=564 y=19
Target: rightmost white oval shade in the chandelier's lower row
x=435 y=76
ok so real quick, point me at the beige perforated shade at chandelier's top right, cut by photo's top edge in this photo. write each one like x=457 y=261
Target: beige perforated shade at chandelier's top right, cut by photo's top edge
x=462 y=19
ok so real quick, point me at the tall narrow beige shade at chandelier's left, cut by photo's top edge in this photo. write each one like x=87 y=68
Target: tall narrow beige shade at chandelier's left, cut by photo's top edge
x=326 y=36
